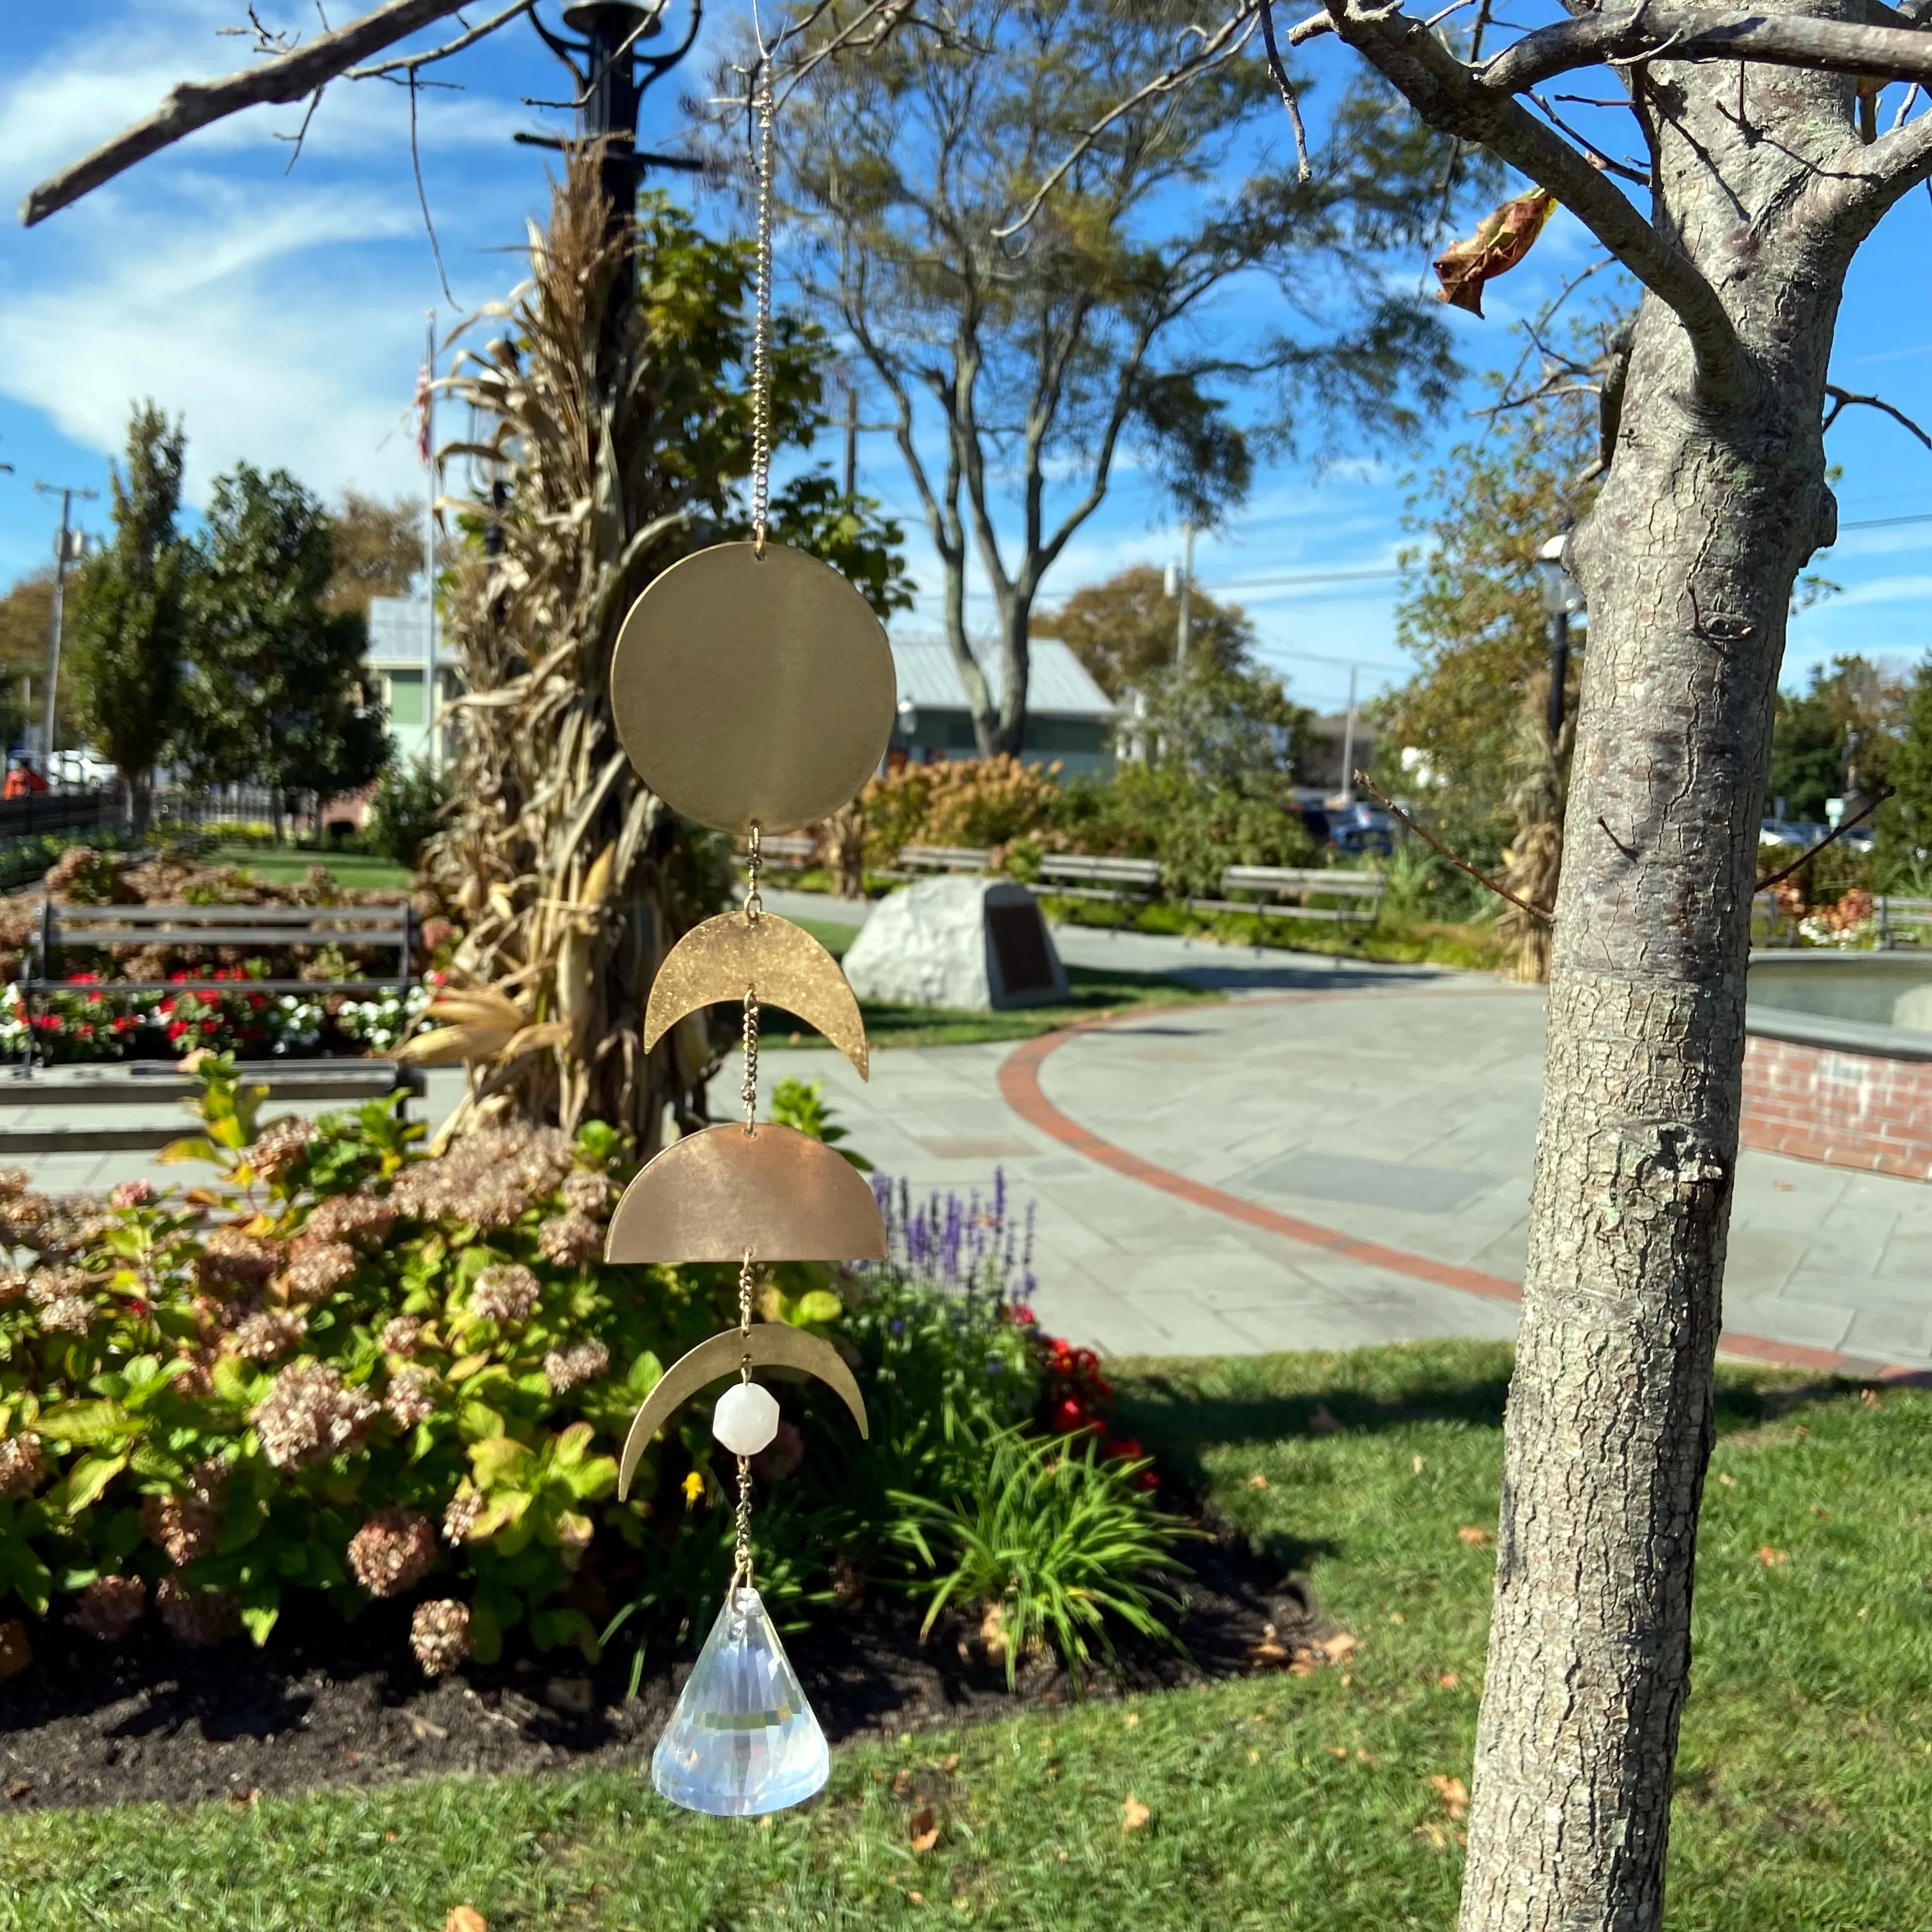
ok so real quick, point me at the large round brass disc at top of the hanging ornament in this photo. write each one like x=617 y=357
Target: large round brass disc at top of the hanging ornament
x=754 y=691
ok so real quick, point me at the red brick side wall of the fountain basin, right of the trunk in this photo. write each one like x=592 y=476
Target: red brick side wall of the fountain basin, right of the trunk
x=1848 y=1110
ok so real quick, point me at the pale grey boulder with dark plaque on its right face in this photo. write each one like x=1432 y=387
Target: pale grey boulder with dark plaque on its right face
x=977 y=946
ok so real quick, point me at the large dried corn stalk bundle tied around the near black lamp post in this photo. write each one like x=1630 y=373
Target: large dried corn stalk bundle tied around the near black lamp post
x=569 y=876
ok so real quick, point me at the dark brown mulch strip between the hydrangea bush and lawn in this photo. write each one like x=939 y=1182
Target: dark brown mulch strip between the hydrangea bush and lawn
x=345 y=1705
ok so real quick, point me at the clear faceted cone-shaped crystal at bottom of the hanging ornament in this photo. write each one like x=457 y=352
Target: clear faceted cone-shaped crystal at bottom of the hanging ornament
x=743 y=1740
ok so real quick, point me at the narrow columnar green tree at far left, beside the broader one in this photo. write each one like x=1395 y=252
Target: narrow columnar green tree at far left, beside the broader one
x=130 y=613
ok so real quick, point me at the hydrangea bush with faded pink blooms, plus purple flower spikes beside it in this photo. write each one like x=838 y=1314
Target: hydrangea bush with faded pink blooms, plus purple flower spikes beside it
x=360 y=1371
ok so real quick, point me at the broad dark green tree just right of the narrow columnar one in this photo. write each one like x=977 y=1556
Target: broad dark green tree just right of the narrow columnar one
x=277 y=677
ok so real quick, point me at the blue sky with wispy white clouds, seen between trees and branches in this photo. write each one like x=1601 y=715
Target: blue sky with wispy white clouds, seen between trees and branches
x=283 y=316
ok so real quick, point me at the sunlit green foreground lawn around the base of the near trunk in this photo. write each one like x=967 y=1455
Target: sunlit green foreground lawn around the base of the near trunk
x=1805 y=1784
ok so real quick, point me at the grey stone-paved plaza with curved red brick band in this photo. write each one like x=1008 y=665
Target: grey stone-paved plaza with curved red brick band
x=1340 y=1154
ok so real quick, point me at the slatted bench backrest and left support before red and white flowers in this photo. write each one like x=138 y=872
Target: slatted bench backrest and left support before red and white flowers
x=213 y=926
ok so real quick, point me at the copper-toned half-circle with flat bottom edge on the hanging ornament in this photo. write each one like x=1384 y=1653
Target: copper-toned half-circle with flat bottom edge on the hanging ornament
x=724 y=1191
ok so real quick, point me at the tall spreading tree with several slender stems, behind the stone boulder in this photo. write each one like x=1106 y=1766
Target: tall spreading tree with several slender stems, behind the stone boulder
x=1040 y=281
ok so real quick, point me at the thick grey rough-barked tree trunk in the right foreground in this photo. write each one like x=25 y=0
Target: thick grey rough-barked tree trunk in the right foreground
x=1713 y=505
